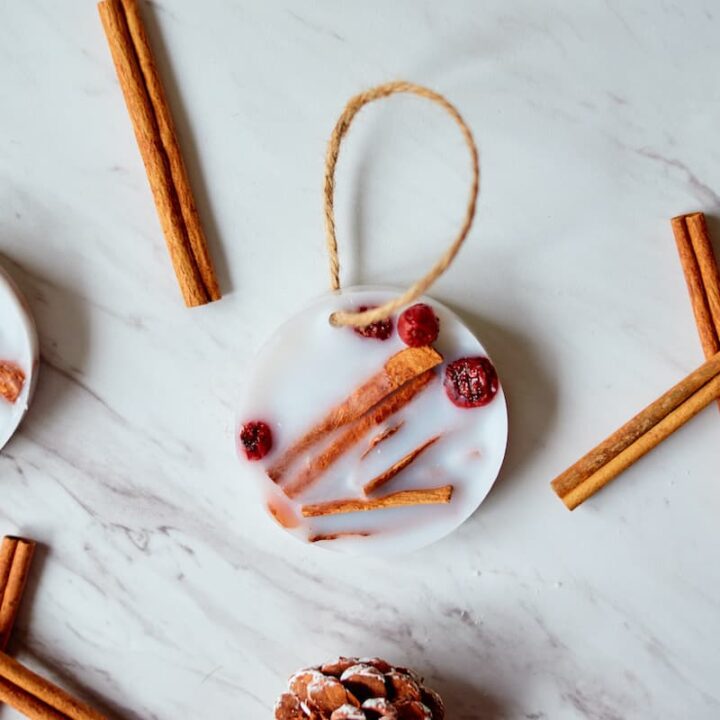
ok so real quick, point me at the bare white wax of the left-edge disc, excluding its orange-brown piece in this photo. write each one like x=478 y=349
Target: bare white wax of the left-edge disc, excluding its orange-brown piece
x=18 y=345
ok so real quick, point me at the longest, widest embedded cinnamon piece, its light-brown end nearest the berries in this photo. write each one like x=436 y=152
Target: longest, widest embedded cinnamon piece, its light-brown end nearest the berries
x=398 y=370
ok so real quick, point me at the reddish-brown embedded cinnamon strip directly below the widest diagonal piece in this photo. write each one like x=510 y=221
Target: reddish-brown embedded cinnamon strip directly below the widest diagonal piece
x=356 y=432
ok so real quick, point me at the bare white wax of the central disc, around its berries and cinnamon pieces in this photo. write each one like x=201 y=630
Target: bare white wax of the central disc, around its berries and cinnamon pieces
x=308 y=367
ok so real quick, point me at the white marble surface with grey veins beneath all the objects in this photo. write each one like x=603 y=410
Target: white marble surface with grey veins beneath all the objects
x=160 y=590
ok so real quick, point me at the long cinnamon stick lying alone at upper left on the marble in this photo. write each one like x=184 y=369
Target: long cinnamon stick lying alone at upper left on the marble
x=157 y=140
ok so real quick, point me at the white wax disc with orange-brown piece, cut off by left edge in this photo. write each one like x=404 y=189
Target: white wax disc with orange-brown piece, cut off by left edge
x=18 y=358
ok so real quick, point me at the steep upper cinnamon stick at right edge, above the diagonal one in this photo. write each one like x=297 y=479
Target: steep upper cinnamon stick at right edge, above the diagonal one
x=689 y=250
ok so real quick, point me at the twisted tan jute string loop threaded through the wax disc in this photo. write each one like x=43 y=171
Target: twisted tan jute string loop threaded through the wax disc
x=355 y=319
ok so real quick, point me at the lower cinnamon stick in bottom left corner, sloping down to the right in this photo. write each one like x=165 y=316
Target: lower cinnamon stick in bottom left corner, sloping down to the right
x=37 y=697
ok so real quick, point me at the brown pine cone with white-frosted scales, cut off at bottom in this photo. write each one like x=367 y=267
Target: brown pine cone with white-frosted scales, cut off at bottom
x=354 y=689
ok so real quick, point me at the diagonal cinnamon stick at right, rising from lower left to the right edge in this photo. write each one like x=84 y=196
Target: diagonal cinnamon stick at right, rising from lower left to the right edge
x=639 y=435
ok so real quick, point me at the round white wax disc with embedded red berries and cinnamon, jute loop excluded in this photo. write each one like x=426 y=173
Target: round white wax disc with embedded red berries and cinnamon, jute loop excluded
x=335 y=419
